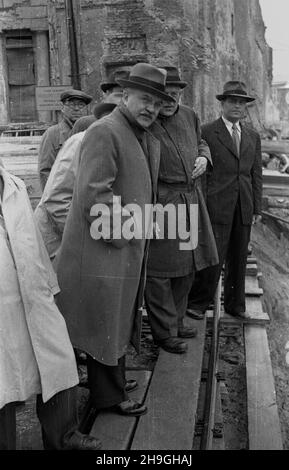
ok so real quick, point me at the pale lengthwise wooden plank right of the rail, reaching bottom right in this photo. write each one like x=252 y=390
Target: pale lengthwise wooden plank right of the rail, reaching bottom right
x=263 y=420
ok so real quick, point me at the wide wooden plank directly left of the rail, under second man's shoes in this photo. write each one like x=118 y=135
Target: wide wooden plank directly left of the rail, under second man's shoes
x=172 y=398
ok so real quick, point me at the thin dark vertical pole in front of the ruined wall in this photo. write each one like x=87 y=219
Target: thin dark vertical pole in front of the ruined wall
x=70 y=21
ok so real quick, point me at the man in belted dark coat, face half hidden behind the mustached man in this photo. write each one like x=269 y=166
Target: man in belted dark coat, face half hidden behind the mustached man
x=184 y=158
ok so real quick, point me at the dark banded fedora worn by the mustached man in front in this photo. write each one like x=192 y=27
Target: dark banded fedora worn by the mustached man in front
x=148 y=78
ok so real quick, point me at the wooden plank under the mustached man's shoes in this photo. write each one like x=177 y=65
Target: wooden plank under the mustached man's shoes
x=116 y=431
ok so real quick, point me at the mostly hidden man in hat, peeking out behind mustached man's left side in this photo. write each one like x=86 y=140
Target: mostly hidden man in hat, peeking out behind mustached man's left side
x=112 y=94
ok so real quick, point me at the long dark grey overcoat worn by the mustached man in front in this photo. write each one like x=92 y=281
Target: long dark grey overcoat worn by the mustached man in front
x=102 y=282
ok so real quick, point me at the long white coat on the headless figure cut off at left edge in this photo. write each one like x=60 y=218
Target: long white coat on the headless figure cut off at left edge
x=36 y=355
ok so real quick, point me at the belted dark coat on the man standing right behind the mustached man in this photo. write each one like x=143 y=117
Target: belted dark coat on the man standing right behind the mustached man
x=181 y=145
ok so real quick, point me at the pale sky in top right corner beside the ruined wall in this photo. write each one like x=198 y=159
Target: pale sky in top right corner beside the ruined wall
x=276 y=18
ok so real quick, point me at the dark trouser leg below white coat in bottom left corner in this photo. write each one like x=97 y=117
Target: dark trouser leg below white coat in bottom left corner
x=8 y=427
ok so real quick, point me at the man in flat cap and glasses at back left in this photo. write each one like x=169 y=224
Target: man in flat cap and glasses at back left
x=74 y=104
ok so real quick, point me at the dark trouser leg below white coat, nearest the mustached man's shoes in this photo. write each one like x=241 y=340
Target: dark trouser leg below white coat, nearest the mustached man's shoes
x=58 y=417
